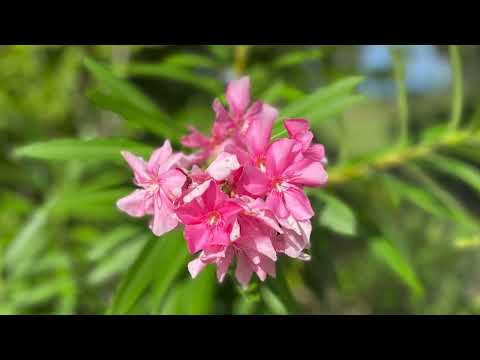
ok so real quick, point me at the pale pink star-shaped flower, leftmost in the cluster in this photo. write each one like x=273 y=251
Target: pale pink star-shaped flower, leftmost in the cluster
x=160 y=186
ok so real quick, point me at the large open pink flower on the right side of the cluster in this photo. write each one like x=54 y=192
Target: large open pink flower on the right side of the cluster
x=282 y=177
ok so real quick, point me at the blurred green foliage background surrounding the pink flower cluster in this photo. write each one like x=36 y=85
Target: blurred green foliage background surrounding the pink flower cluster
x=396 y=230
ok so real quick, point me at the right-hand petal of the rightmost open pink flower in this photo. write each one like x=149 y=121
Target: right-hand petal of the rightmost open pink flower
x=306 y=172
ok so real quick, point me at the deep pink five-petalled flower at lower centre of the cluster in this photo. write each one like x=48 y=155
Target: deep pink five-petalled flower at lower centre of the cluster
x=208 y=218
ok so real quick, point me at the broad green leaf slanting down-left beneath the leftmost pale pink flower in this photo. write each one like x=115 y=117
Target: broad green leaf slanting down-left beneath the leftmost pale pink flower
x=159 y=262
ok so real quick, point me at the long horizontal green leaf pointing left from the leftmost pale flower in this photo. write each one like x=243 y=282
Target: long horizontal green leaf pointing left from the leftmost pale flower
x=83 y=150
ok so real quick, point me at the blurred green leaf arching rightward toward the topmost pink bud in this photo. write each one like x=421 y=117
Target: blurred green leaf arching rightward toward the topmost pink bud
x=177 y=73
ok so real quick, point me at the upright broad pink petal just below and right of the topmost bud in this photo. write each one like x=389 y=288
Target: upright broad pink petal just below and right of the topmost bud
x=259 y=132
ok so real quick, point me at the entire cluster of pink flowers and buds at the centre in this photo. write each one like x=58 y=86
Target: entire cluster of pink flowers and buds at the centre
x=249 y=204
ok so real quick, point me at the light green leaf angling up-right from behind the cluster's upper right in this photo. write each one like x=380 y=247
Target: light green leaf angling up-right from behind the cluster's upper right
x=334 y=97
